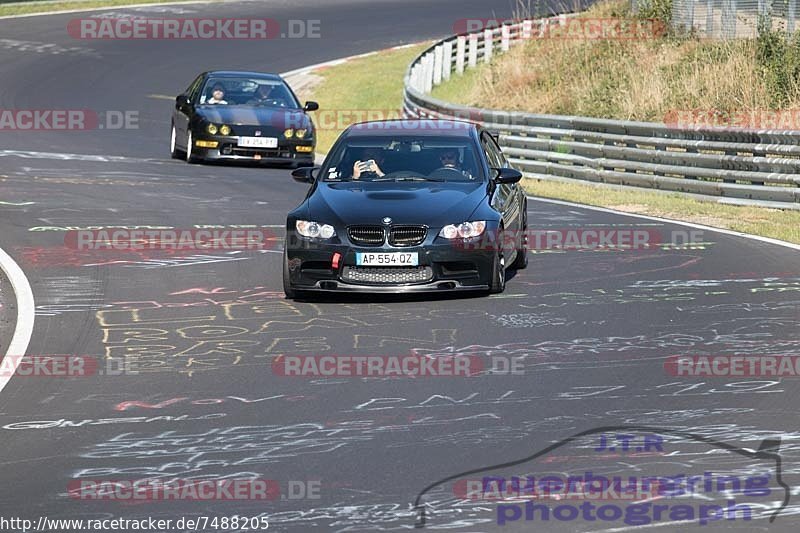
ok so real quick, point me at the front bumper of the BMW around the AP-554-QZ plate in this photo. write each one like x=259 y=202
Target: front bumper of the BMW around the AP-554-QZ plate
x=447 y=268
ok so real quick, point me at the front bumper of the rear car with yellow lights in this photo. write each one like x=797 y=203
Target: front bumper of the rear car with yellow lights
x=227 y=149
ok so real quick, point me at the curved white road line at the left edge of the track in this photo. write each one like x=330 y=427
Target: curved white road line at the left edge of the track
x=25 y=315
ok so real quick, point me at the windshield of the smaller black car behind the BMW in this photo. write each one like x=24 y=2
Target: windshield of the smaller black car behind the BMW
x=247 y=92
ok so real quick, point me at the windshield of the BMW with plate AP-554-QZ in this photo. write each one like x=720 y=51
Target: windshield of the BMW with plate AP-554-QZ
x=404 y=158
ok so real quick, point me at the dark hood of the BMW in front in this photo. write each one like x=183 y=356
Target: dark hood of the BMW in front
x=433 y=204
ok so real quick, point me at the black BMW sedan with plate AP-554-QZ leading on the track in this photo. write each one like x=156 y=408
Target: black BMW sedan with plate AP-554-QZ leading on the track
x=404 y=206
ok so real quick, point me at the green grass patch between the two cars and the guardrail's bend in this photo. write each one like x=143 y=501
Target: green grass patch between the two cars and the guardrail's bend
x=354 y=89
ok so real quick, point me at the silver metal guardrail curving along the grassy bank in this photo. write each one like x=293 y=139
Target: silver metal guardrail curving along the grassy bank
x=740 y=166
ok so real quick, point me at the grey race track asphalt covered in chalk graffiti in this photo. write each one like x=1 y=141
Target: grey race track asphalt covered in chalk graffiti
x=589 y=331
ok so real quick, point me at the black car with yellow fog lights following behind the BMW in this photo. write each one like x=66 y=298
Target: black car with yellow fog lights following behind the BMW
x=242 y=116
